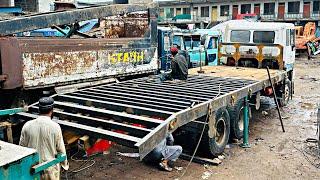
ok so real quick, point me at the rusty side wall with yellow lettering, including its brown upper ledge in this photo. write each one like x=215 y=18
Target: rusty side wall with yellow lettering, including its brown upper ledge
x=43 y=62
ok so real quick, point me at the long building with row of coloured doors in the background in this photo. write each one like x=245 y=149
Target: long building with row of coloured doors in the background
x=268 y=10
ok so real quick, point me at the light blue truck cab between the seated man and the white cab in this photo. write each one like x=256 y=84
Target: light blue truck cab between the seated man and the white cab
x=208 y=55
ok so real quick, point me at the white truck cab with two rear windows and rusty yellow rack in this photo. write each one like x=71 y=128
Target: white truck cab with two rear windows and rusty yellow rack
x=275 y=40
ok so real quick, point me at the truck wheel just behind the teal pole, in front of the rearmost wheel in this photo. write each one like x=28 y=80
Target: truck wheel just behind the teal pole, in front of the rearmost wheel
x=236 y=119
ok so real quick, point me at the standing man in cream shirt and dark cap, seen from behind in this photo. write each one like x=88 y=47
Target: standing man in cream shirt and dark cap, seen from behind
x=45 y=136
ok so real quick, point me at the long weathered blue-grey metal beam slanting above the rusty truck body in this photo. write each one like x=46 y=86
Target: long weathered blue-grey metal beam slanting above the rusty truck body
x=49 y=19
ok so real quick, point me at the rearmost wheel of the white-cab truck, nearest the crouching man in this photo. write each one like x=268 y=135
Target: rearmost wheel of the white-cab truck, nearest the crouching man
x=222 y=125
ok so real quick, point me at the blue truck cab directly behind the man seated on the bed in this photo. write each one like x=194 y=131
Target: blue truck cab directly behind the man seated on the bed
x=167 y=38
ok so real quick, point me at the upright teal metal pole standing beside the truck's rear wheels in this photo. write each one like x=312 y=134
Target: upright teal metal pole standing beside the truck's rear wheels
x=245 y=143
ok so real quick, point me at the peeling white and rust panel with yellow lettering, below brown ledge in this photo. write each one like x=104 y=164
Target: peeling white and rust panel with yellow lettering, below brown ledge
x=54 y=68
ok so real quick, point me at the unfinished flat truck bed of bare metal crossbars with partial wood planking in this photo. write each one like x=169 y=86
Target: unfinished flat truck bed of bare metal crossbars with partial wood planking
x=138 y=113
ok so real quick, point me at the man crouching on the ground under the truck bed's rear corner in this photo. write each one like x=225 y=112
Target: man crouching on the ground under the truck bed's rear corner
x=164 y=153
